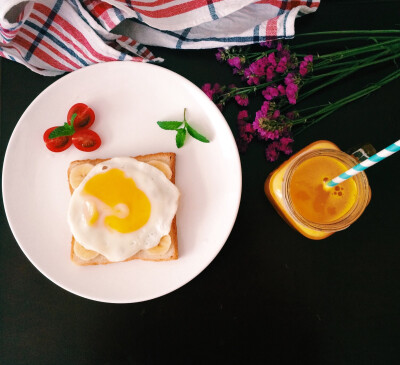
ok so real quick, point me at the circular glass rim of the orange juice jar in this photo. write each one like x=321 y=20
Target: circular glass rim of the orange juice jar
x=346 y=219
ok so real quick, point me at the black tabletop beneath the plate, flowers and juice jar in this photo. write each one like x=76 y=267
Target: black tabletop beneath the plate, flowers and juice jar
x=271 y=296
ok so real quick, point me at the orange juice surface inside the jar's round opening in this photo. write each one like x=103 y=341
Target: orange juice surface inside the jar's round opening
x=312 y=199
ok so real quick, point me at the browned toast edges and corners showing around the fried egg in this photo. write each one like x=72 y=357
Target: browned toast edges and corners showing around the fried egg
x=171 y=254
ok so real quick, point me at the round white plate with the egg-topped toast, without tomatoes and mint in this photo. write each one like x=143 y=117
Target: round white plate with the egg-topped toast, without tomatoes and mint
x=69 y=210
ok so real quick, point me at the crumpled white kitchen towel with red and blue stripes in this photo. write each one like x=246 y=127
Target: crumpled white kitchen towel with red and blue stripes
x=56 y=36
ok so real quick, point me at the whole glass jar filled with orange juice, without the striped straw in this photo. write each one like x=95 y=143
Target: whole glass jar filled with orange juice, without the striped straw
x=298 y=192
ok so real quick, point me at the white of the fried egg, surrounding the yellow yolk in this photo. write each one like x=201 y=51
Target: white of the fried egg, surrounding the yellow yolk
x=116 y=246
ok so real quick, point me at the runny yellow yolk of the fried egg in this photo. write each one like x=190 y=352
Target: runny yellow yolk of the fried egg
x=129 y=205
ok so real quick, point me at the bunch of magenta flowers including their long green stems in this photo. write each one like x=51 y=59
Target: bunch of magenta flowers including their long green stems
x=279 y=75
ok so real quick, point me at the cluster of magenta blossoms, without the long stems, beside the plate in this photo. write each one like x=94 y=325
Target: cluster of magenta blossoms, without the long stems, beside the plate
x=278 y=74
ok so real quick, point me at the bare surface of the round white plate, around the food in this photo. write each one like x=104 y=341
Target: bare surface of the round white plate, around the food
x=128 y=99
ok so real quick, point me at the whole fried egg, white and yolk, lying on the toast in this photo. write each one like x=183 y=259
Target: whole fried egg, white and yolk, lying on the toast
x=121 y=207
